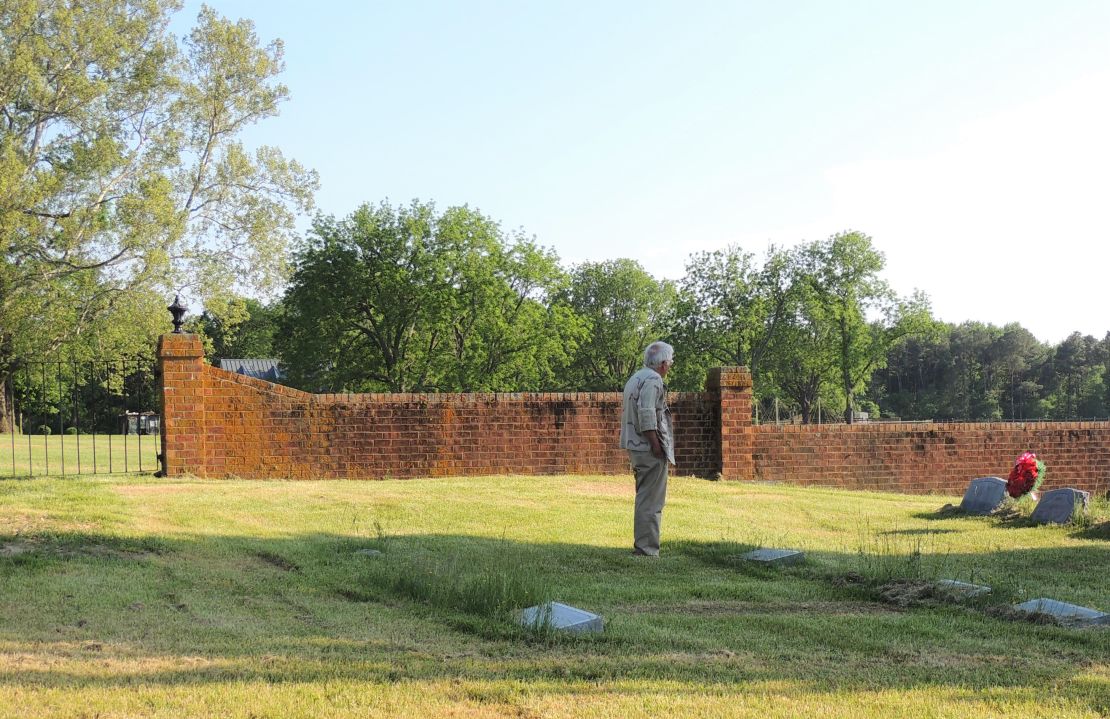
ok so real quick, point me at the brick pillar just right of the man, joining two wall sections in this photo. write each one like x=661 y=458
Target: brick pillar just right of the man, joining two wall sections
x=733 y=387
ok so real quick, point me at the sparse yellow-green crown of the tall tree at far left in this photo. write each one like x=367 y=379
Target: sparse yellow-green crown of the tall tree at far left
x=120 y=166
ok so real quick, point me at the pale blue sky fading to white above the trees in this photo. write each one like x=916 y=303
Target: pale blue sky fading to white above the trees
x=971 y=139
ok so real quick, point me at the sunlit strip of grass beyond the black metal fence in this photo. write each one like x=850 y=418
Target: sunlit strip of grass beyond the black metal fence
x=37 y=455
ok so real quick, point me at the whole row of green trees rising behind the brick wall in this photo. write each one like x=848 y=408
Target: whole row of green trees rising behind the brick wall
x=408 y=299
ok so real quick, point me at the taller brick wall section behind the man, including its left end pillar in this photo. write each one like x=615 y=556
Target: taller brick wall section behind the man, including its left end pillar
x=221 y=424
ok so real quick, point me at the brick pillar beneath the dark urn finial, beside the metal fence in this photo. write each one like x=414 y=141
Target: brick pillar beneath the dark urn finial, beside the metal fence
x=181 y=366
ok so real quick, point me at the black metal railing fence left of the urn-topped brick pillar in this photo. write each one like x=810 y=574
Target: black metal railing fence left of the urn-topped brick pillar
x=79 y=419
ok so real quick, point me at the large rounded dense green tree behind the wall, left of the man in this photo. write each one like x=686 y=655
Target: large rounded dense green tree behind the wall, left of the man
x=411 y=300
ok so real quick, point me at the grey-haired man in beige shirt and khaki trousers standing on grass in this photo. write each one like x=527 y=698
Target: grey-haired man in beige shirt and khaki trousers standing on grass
x=647 y=434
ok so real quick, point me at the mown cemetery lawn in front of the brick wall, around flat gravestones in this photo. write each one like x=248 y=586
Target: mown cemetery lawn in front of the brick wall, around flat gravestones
x=140 y=598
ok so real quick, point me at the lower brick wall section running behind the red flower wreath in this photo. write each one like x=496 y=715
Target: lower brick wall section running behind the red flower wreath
x=917 y=458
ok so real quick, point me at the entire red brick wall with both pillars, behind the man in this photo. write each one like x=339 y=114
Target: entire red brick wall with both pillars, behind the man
x=221 y=424
